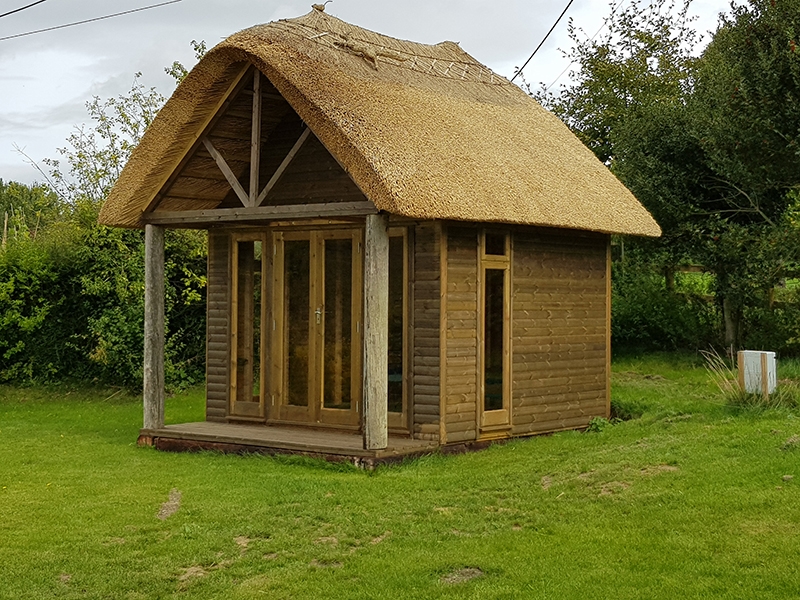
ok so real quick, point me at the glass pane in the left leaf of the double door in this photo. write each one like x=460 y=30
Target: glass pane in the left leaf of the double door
x=297 y=261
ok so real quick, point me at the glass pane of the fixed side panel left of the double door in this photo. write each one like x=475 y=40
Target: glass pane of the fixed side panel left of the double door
x=248 y=326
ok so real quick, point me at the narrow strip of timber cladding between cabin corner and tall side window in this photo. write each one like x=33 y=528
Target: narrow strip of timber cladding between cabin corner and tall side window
x=461 y=304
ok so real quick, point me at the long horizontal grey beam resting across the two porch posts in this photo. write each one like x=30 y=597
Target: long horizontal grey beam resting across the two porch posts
x=263 y=213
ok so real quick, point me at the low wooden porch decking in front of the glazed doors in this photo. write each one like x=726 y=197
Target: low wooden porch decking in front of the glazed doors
x=263 y=439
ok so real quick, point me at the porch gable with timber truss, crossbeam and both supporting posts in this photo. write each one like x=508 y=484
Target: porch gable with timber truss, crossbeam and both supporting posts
x=255 y=136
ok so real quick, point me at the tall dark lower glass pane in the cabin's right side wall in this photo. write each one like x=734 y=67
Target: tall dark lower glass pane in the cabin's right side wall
x=493 y=339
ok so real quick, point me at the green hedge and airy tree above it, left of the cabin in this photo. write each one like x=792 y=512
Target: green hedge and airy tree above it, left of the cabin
x=71 y=290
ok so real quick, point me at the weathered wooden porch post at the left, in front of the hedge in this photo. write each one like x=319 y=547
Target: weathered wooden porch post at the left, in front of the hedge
x=153 y=327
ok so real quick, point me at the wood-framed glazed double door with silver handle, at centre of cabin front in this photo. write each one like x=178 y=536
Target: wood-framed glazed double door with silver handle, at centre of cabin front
x=316 y=371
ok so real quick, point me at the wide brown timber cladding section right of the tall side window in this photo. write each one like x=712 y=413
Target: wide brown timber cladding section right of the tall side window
x=559 y=329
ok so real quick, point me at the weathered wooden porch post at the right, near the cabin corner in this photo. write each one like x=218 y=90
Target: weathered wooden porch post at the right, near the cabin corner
x=376 y=332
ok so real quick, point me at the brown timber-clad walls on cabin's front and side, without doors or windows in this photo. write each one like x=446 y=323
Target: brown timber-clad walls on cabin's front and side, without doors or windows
x=559 y=330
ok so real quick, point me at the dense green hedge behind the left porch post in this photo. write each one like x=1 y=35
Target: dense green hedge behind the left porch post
x=71 y=301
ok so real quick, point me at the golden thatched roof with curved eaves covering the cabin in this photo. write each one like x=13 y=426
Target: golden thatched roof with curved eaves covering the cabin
x=424 y=131
